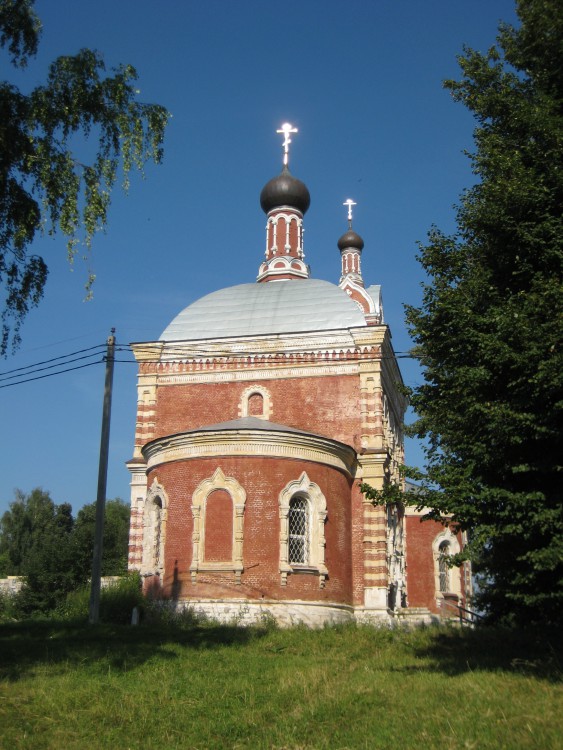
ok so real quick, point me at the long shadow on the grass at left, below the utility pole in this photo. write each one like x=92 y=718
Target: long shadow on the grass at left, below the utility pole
x=25 y=646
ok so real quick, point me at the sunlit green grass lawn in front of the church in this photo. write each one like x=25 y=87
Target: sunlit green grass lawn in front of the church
x=208 y=686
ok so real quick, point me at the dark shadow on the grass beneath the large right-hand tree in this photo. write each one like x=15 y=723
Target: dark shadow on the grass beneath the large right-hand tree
x=453 y=652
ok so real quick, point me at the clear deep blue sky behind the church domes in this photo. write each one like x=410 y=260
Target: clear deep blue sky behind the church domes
x=361 y=79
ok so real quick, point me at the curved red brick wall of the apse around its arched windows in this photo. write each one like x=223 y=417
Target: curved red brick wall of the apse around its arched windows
x=262 y=479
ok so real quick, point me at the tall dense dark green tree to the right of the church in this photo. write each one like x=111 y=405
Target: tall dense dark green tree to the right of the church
x=490 y=327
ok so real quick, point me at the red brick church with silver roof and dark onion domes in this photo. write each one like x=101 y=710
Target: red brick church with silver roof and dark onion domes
x=261 y=408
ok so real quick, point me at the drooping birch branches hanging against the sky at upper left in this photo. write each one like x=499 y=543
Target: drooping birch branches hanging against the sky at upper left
x=44 y=183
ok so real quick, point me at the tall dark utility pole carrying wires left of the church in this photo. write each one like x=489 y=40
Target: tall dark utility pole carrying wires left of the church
x=94 y=614
